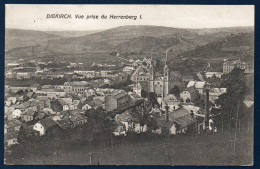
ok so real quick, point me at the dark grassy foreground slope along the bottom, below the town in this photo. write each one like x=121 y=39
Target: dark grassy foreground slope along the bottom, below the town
x=182 y=150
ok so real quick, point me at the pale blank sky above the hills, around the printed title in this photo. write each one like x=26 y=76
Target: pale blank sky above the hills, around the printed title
x=182 y=16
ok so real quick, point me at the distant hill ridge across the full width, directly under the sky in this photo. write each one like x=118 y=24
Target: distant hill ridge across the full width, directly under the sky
x=120 y=39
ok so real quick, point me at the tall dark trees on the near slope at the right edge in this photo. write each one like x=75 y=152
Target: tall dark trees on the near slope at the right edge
x=234 y=114
